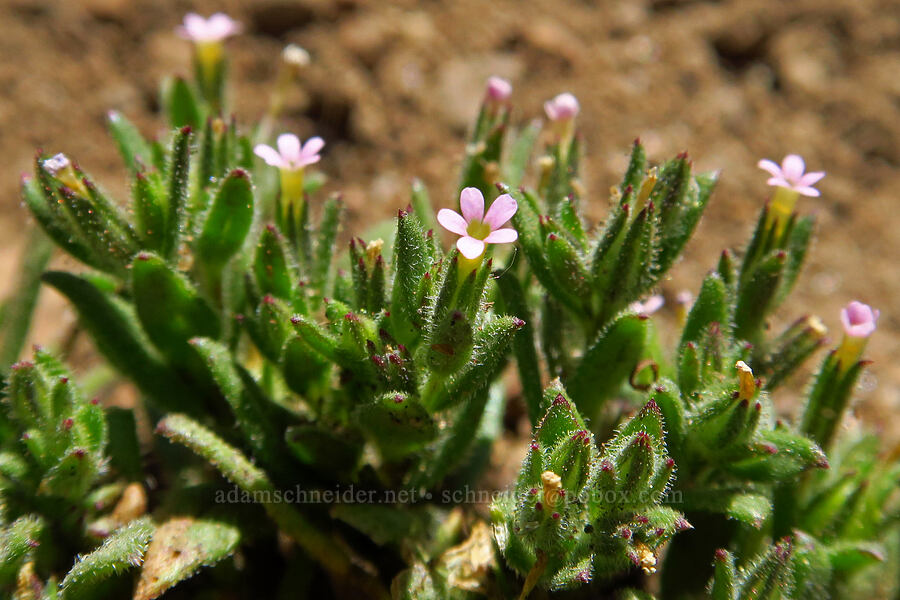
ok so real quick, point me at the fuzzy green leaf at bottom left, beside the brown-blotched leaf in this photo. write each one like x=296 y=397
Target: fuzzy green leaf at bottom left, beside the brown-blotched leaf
x=121 y=551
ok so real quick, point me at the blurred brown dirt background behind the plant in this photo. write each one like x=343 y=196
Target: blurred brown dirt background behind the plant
x=394 y=85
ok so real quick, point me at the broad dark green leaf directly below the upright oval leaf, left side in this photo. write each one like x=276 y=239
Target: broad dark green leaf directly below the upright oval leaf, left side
x=170 y=309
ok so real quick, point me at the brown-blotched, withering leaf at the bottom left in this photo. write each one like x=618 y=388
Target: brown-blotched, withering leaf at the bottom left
x=180 y=547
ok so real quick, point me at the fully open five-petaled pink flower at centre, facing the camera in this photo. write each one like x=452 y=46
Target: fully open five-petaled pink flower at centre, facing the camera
x=476 y=228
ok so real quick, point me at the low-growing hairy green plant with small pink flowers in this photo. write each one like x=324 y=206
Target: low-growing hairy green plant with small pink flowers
x=316 y=410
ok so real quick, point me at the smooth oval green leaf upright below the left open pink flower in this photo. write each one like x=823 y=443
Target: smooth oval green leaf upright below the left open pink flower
x=228 y=220
